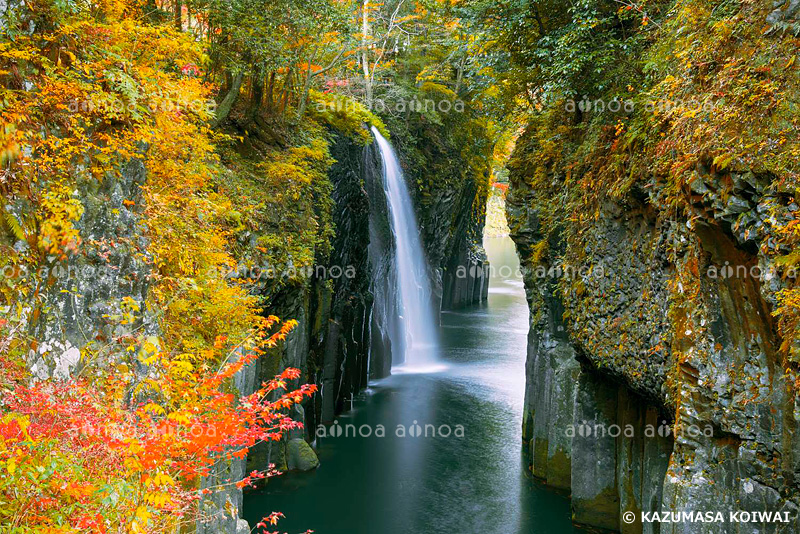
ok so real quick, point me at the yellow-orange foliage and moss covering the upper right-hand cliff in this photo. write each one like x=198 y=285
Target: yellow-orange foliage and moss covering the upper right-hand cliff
x=713 y=96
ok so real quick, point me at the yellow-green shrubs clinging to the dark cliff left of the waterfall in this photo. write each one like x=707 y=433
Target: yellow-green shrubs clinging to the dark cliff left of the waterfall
x=283 y=218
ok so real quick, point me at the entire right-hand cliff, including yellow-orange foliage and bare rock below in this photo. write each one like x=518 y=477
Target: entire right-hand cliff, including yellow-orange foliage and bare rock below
x=660 y=273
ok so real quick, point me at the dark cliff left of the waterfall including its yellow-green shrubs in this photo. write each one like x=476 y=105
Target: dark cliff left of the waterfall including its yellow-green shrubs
x=306 y=246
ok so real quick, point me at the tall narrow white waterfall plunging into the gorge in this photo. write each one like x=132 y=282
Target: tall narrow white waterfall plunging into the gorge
x=414 y=289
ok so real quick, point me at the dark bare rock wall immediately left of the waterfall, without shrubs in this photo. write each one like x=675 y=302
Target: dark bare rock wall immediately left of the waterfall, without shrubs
x=334 y=309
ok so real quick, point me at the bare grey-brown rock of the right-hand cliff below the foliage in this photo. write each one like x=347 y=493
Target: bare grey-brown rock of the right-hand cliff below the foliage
x=648 y=390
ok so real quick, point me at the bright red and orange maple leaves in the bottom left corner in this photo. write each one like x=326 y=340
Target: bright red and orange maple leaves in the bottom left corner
x=75 y=459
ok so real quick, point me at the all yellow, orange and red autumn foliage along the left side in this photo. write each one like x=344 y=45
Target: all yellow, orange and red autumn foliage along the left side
x=122 y=444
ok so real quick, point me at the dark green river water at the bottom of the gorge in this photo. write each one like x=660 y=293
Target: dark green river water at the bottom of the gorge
x=475 y=484
